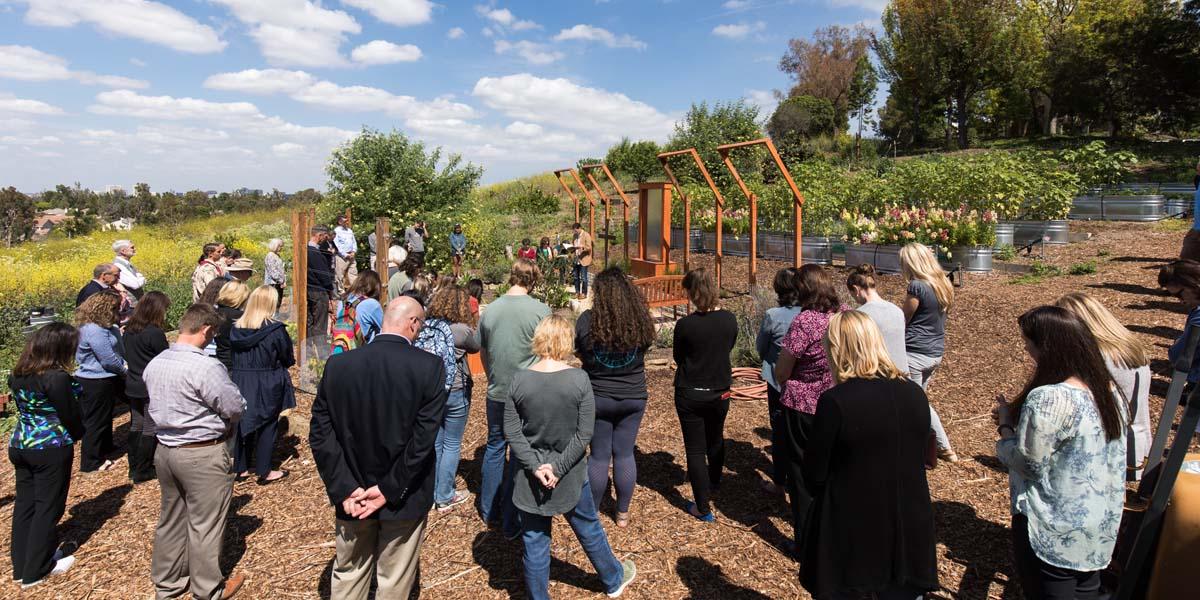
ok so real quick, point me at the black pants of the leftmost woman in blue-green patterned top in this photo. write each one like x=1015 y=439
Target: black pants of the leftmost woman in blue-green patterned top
x=44 y=478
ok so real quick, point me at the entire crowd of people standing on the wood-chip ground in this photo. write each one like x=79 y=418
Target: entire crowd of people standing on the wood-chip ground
x=853 y=429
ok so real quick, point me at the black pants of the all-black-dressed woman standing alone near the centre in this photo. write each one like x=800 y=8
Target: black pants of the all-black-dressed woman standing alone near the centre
x=703 y=419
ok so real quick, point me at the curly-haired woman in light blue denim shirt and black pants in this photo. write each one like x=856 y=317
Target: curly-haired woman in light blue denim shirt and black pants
x=100 y=369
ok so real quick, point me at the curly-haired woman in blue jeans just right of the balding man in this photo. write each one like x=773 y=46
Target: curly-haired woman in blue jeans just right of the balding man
x=452 y=308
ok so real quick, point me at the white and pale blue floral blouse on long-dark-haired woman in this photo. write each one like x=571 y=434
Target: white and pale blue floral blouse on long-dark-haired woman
x=1066 y=478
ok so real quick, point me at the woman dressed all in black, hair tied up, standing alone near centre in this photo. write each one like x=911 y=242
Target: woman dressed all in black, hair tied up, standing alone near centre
x=703 y=345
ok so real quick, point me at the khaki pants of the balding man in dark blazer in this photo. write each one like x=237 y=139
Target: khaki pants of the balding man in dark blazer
x=392 y=548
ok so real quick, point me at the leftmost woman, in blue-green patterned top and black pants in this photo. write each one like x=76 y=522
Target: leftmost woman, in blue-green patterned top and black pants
x=43 y=448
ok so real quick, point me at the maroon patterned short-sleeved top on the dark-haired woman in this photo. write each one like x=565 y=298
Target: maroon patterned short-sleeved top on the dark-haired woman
x=811 y=375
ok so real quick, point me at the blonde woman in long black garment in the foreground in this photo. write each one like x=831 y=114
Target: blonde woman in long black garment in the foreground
x=872 y=530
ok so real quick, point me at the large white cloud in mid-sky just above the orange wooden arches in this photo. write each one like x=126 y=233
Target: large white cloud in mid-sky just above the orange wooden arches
x=568 y=105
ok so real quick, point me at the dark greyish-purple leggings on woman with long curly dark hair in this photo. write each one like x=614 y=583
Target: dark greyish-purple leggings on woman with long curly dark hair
x=613 y=443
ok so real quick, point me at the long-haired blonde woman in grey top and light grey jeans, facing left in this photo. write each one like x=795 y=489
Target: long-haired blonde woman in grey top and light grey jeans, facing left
x=926 y=305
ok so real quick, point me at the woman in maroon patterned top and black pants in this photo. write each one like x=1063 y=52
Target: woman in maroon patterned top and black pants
x=805 y=371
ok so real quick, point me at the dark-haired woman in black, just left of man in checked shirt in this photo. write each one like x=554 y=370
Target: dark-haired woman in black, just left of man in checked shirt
x=145 y=339
